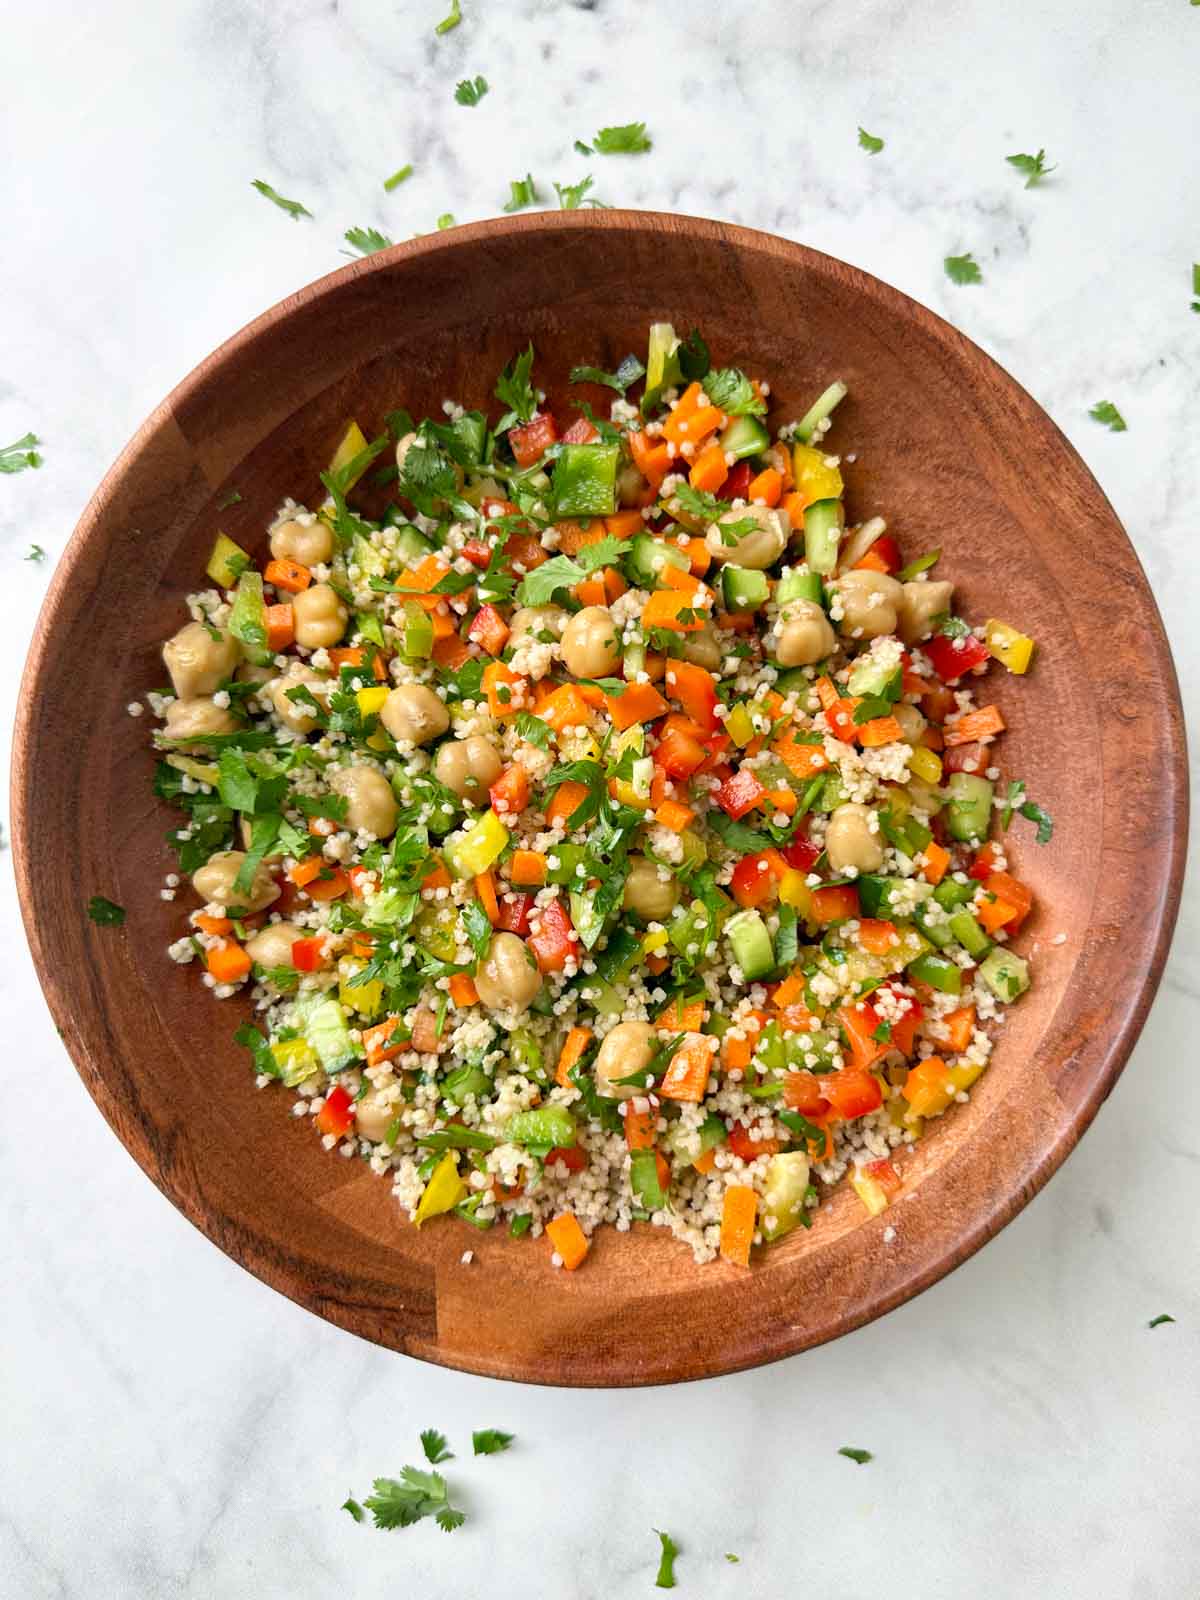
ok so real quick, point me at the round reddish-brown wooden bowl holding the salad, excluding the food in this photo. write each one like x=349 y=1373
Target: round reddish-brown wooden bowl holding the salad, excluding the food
x=950 y=449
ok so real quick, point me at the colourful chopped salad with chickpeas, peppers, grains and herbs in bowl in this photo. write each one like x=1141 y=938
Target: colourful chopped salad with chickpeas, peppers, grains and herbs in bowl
x=604 y=828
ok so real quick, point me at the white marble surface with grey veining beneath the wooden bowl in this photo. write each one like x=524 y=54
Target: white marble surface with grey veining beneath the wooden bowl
x=175 y=1430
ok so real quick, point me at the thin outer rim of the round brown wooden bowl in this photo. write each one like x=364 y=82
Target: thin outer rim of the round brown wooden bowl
x=1102 y=1058
